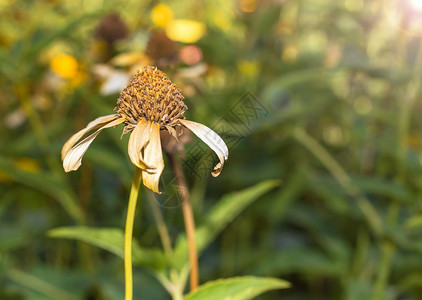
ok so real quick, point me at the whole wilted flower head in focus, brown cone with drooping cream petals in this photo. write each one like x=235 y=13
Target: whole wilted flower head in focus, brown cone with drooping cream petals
x=150 y=103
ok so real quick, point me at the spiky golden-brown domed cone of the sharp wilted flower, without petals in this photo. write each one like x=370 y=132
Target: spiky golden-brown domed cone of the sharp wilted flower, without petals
x=152 y=96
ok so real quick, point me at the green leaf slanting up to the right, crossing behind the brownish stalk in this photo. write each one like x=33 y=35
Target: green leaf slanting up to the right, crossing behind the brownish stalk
x=229 y=207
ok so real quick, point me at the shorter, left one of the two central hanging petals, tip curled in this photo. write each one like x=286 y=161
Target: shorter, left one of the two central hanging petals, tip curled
x=138 y=140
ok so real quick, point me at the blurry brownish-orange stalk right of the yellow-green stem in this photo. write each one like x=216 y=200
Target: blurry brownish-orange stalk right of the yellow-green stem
x=189 y=222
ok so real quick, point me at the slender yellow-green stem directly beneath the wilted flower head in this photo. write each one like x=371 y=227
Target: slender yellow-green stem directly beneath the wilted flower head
x=129 y=232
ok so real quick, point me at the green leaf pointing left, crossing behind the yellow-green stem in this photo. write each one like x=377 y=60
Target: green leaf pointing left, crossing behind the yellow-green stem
x=112 y=239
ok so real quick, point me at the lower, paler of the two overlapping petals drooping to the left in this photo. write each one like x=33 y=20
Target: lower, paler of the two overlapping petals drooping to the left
x=73 y=157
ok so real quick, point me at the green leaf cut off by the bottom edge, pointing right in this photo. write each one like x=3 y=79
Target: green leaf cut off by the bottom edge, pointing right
x=237 y=288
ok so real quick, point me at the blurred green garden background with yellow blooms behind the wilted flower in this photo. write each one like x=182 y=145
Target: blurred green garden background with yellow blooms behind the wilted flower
x=340 y=81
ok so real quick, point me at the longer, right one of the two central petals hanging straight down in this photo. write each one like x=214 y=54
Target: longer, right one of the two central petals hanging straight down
x=153 y=156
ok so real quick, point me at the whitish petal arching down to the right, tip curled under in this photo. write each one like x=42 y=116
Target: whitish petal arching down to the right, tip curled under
x=212 y=139
